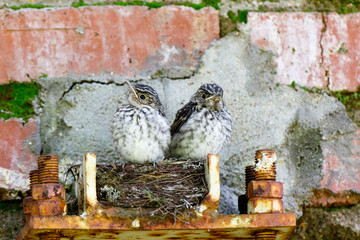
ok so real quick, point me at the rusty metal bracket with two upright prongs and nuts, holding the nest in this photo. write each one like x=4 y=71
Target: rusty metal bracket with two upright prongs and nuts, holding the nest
x=99 y=222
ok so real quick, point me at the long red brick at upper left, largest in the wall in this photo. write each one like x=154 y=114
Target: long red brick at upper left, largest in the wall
x=129 y=40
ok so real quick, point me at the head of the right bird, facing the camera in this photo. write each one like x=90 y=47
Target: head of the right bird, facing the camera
x=209 y=96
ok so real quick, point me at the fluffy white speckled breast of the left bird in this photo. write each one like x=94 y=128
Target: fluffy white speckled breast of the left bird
x=140 y=134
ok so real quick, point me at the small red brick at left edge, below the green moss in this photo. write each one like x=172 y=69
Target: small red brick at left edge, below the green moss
x=16 y=157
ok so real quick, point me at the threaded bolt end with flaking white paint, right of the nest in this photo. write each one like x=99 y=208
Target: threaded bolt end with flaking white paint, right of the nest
x=265 y=166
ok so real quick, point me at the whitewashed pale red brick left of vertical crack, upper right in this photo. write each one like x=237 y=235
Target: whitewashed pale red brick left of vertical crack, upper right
x=294 y=38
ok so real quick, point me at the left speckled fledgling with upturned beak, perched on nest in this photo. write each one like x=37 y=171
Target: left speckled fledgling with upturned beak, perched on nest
x=140 y=130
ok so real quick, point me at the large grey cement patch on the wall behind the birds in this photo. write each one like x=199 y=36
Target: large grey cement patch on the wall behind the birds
x=299 y=125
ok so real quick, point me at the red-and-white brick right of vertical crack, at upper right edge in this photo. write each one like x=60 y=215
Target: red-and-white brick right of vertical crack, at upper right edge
x=341 y=44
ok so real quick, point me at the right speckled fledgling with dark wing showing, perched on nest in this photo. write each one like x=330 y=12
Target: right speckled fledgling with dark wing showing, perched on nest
x=202 y=126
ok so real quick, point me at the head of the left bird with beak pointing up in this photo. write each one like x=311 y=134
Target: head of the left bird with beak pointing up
x=141 y=95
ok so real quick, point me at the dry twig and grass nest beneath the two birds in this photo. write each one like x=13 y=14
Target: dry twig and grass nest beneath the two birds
x=171 y=186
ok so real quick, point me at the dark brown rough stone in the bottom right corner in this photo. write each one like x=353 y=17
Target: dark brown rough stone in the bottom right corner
x=318 y=223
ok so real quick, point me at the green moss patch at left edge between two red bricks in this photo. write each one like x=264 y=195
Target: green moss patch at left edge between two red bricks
x=16 y=100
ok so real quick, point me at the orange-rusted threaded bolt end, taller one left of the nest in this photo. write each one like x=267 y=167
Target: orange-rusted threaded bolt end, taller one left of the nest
x=48 y=169
